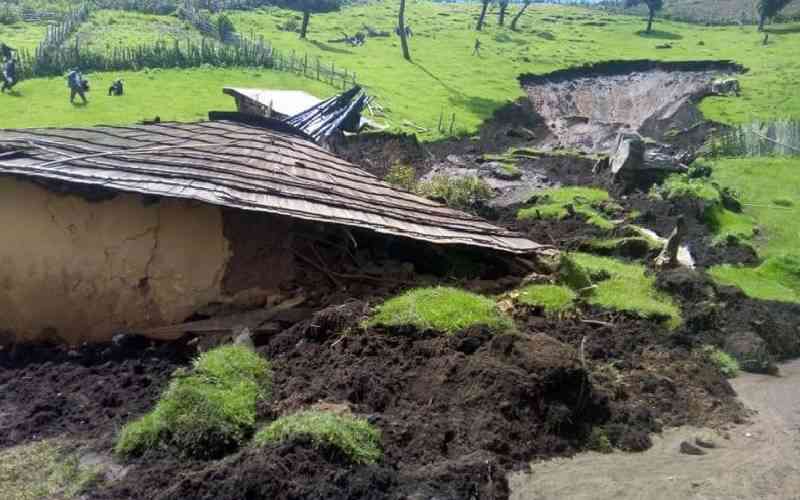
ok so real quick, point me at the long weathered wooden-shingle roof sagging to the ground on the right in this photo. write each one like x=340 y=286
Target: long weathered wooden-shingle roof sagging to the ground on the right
x=243 y=166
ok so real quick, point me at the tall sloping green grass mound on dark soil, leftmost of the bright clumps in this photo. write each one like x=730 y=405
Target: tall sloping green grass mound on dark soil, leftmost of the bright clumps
x=205 y=413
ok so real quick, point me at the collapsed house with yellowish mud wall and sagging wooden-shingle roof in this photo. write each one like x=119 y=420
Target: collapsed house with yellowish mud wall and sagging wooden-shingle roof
x=110 y=229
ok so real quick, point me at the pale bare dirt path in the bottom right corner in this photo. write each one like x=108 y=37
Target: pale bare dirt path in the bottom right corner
x=760 y=460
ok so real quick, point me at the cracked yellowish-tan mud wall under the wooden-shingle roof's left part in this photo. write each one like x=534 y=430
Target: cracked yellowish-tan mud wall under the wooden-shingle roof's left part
x=75 y=271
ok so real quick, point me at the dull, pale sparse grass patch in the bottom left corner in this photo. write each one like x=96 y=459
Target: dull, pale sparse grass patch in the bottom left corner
x=43 y=469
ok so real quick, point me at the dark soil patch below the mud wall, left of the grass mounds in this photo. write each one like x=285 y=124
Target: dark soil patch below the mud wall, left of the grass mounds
x=85 y=393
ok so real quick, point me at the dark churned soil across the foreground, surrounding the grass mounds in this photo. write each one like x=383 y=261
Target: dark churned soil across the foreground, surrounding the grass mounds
x=456 y=413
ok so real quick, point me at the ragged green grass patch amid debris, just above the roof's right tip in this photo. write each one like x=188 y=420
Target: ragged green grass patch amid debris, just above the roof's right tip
x=553 y=204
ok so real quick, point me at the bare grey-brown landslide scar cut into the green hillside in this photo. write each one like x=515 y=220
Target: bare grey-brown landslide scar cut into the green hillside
x=587 y=108
